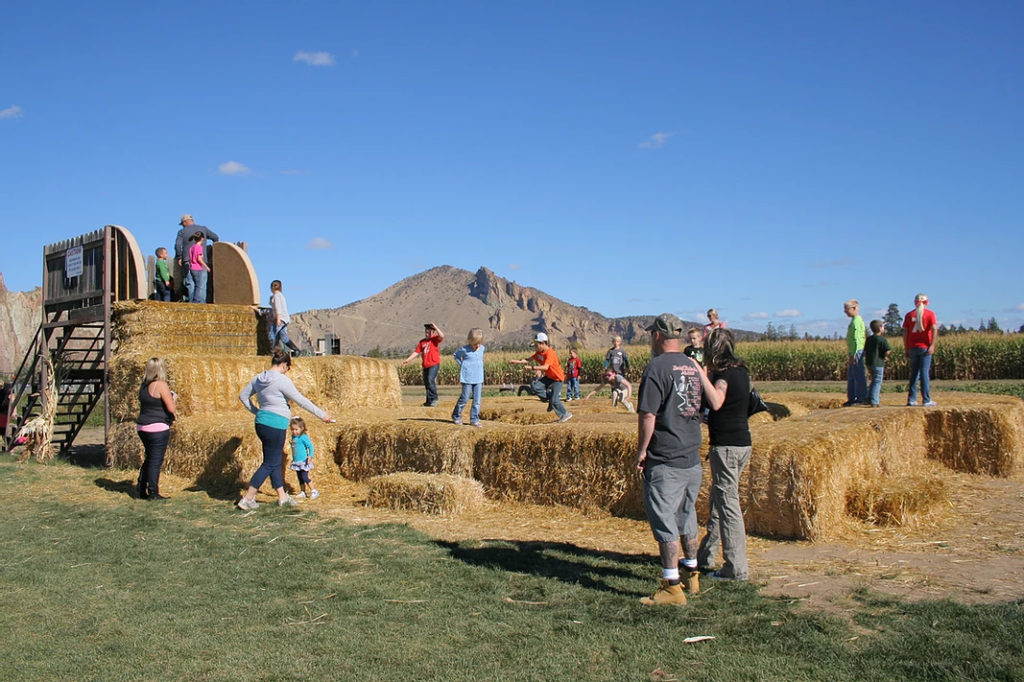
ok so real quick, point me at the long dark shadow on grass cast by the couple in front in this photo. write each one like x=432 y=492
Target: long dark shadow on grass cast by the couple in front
x=562 y=562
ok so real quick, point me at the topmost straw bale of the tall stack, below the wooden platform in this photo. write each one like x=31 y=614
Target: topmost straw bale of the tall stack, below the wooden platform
x=158 y=328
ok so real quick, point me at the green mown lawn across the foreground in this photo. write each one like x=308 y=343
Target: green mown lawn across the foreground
x=99 y=586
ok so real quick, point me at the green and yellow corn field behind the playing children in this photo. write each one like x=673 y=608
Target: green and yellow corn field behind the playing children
x=964 y=357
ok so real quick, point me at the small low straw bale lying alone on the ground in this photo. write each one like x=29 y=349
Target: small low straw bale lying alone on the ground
x=431 y=494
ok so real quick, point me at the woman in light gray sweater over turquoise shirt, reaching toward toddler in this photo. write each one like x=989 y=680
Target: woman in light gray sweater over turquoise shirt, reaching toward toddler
x=274 y=391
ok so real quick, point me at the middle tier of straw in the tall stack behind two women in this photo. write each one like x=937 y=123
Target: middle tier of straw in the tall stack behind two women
x=210 y=385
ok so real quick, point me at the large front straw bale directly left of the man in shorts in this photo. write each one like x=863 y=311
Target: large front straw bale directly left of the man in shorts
x=588 y=466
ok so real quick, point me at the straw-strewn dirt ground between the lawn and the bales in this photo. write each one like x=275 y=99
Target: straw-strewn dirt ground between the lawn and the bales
x=972 y=552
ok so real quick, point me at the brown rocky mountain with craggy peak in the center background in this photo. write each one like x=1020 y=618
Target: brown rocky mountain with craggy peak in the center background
x=457 y=301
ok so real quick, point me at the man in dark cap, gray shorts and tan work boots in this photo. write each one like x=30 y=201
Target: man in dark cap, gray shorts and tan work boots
x=669 y=455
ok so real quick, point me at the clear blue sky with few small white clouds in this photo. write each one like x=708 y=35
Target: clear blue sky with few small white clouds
x=771 y=160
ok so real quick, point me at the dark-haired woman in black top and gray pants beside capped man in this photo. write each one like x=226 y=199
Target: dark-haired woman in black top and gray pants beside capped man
x=730 y=453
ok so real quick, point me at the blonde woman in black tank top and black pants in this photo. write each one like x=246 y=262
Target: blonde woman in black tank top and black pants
x=157 y=404
